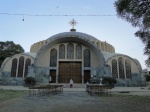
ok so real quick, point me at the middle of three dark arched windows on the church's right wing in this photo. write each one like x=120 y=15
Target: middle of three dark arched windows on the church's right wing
x=121 y=68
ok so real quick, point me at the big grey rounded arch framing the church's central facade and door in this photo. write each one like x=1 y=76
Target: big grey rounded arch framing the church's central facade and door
x=77 y=37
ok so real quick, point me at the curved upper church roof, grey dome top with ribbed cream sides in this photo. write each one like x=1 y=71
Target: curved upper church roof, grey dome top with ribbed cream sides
x=101 y=44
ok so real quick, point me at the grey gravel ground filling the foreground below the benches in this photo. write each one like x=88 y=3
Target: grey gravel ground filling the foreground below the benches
x=77 y=102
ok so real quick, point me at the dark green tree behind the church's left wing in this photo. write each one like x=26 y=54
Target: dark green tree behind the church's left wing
x=9 y=48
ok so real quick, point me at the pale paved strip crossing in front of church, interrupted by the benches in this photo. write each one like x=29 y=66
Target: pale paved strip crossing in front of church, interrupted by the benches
x=142 y=91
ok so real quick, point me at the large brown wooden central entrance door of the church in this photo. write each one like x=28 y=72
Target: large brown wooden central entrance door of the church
x=70 y=70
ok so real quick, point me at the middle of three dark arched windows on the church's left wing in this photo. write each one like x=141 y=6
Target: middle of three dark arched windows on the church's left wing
x=21 y=66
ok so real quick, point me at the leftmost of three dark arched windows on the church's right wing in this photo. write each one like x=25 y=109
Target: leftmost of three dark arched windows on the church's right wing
x=114 y=68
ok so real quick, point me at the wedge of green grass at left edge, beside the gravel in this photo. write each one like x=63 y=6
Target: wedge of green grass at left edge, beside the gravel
x=9 y=94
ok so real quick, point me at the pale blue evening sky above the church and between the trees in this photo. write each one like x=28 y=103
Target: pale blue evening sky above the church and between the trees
x=40 y=22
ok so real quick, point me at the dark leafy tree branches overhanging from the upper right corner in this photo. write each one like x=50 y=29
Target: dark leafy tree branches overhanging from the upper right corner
x=137 y=12
